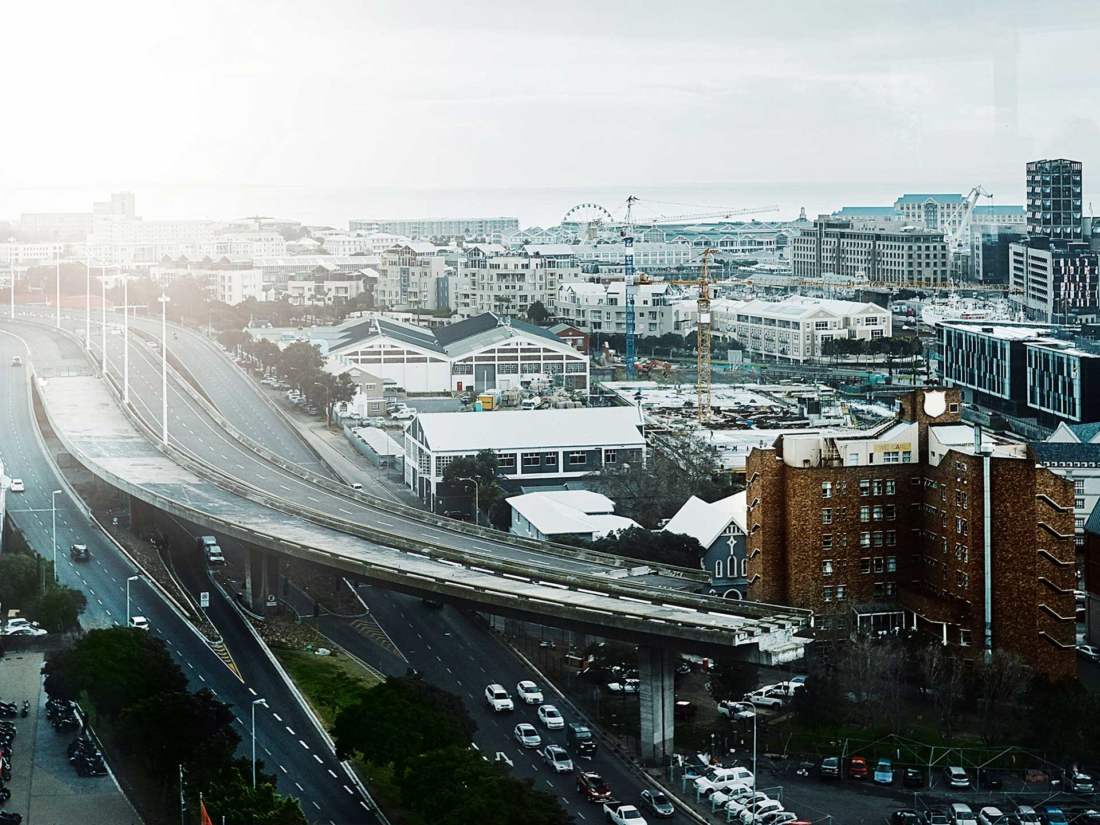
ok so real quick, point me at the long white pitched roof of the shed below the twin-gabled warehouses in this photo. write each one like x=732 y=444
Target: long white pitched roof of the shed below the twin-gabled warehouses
x=535 y=430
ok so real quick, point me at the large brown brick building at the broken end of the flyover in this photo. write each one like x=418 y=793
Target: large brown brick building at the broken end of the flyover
x=887 y=530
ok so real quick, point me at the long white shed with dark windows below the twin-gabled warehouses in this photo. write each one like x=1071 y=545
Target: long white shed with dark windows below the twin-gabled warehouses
x=544 y=446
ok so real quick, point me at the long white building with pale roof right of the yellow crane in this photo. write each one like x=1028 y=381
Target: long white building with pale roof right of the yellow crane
x=797 y=328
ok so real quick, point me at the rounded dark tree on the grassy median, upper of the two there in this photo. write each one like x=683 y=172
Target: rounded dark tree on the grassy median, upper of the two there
x=398 y=721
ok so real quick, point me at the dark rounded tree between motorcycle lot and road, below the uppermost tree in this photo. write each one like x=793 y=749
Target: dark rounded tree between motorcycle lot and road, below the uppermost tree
x=170 y=730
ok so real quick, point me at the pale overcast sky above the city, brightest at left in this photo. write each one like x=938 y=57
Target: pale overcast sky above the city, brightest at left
x=445 y=94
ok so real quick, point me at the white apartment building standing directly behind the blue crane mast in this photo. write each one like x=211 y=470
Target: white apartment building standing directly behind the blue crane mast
x=659 y=309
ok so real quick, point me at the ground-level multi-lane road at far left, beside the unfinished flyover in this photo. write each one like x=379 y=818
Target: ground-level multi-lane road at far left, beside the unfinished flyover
x=304 y=772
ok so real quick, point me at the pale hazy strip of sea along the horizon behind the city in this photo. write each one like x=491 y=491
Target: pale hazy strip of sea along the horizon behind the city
x=533 y=206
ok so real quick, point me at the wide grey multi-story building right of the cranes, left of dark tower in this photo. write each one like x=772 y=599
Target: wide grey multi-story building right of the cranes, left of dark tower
x=903 y=257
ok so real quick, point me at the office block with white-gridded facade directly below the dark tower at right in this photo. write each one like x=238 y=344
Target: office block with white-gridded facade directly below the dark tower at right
x=1054 y=282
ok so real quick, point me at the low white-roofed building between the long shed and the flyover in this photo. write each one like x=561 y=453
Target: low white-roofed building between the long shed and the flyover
x=557 y=514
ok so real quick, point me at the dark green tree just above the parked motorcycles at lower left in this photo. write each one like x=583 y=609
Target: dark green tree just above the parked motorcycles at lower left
x=116 y=668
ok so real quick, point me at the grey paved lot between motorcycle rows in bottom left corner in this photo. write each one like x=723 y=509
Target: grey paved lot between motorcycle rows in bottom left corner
x=45 y=787
